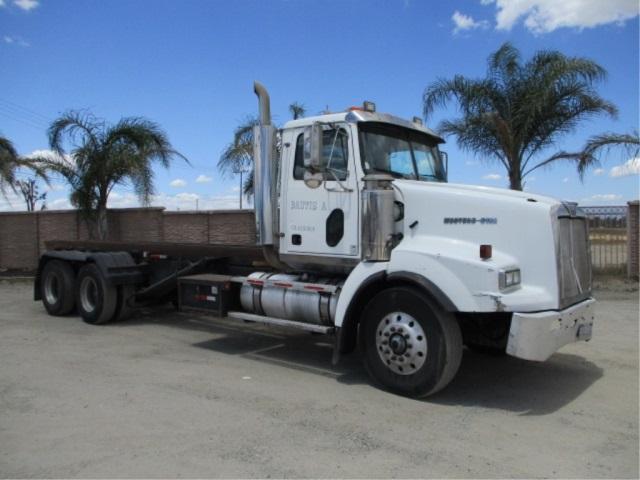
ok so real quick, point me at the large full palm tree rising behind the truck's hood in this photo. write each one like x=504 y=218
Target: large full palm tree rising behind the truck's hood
x=520 y=109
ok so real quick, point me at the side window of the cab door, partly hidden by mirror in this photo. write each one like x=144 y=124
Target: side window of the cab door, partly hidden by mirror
x=335 y=155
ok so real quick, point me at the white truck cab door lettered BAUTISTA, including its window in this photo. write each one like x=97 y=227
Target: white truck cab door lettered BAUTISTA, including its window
x=320 y=221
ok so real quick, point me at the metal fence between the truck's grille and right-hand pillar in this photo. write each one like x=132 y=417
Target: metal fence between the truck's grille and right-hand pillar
x=608 y=235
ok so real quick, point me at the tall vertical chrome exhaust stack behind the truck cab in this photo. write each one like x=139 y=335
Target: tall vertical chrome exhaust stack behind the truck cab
x=265 y=179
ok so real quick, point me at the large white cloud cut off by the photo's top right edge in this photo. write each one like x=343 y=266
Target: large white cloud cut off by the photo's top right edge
x=544 y=16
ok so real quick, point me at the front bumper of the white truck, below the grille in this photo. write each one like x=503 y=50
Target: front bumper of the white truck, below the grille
x=536 y=336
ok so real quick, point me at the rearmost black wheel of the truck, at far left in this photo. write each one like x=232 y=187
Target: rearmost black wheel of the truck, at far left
x=58 y=287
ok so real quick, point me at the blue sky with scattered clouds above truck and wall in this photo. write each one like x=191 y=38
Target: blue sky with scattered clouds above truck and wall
x=189 y=65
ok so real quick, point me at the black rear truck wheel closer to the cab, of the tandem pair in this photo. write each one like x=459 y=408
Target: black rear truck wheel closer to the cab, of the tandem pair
x=96 y=298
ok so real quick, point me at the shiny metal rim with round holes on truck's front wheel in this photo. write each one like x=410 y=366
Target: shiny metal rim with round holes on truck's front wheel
x=401 y=343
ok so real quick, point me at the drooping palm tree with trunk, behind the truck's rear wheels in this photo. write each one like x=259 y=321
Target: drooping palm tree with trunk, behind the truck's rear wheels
x=103 y=156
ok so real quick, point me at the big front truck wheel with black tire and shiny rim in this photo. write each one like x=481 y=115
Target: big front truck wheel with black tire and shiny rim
x=411 y=345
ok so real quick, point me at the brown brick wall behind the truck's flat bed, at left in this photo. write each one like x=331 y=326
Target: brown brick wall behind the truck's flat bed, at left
x=23 y=234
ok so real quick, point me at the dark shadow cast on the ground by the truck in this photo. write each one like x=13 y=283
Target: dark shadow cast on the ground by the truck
x=505 y=383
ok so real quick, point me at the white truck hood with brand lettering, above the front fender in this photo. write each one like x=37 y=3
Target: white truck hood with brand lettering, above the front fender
x=451 y=221
